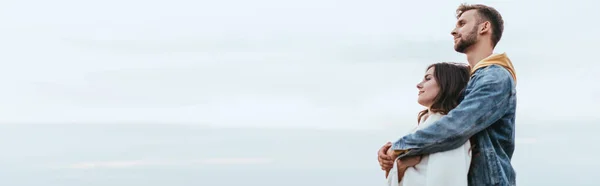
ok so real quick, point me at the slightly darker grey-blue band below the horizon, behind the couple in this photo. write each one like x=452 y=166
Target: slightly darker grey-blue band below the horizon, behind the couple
x=195 y=155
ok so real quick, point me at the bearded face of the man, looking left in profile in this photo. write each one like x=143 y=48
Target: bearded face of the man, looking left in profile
x=465 y=33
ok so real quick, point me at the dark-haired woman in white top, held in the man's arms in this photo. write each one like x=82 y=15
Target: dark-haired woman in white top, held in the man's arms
x=439 y=91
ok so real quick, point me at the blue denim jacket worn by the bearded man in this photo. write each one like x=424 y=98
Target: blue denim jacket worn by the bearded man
x=486 y=116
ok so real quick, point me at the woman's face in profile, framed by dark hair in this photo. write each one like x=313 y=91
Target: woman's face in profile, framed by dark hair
x=428 y=88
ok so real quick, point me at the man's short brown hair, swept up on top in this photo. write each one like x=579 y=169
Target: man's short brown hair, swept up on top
x=485 y=13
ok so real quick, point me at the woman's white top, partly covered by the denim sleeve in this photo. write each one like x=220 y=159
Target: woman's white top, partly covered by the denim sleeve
x=437 y=169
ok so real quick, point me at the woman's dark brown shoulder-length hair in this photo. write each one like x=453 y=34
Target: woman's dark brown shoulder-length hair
x=452 y=79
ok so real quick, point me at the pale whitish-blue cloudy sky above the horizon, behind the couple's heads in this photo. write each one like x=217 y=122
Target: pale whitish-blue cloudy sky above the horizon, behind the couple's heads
x=311 y=63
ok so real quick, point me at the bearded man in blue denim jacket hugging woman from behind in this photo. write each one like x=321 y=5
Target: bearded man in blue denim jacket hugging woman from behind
x=486 y=115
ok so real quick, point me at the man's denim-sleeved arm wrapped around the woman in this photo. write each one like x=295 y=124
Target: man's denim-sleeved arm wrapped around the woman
x=487 y=102
